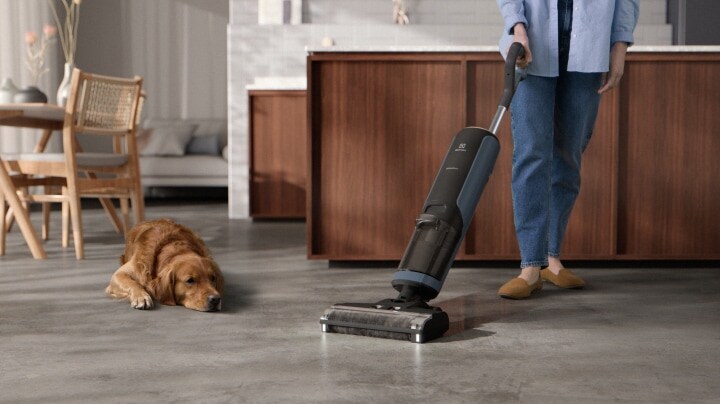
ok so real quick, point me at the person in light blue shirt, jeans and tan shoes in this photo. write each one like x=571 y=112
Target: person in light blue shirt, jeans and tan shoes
x=574 y=53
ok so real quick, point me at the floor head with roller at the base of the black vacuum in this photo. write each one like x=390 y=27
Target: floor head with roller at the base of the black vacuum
x=416 y=322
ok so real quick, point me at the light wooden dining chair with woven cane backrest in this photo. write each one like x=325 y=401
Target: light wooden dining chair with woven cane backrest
x=101 y=106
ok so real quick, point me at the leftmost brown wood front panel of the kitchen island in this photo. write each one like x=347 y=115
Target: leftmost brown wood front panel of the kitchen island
x=380 y=129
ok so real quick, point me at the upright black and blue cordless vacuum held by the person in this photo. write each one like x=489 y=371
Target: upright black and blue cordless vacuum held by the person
x=439 y=230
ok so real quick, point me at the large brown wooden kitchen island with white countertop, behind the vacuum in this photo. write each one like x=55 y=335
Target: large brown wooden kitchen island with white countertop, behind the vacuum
x=380 y=122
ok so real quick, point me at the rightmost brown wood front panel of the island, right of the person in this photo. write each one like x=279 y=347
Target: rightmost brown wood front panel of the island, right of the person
x=670 y=141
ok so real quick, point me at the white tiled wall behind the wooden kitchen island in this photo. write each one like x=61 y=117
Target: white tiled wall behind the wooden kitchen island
x=279 y=50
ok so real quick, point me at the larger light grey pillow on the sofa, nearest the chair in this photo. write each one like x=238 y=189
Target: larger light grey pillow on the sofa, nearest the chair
x=165 y=140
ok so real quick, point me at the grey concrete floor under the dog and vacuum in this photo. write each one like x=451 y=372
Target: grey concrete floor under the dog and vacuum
x=645 y=334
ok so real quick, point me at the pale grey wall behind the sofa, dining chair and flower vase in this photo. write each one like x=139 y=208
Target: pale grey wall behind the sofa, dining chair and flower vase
x=178 y=46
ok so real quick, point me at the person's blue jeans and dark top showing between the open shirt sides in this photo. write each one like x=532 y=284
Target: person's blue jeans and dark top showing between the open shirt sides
x=552 y=120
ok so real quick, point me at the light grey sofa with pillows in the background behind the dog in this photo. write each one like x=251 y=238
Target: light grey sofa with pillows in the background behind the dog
x=183 y=152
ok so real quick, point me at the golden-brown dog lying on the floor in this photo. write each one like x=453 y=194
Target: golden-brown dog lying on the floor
x=168 y=263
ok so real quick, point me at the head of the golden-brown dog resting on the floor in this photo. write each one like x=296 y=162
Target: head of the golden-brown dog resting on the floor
x=191 y=281
